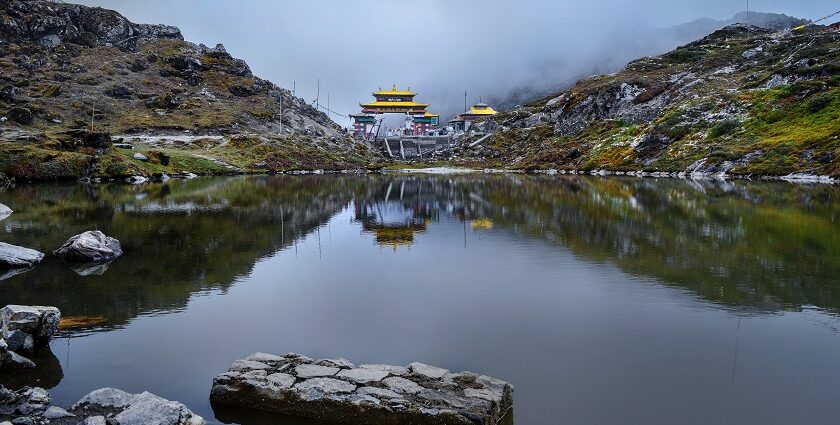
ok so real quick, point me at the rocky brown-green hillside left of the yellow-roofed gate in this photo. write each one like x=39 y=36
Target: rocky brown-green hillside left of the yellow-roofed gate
x=71 y=73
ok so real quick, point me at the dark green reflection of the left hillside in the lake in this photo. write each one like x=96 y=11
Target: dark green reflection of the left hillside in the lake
x=179 y=238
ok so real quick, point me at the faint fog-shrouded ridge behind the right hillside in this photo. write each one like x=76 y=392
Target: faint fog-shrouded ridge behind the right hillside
x=646 y=42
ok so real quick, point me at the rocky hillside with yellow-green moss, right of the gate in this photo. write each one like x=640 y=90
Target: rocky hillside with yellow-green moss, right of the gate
x=743 y=100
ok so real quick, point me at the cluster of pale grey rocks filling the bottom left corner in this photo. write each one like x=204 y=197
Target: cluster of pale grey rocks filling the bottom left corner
x=103 y=406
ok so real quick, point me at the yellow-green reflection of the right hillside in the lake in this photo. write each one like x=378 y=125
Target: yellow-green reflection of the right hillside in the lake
x=764 y=245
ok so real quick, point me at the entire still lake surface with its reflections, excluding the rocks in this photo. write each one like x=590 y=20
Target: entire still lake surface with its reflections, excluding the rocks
x=602 y=300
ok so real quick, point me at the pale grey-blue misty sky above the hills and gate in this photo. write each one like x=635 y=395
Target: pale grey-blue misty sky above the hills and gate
x=437 y=47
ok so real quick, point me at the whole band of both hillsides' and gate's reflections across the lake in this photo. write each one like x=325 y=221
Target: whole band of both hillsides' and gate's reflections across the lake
x=763 y=245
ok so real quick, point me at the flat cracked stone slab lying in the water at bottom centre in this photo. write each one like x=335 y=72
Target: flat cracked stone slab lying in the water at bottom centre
x=338 y=391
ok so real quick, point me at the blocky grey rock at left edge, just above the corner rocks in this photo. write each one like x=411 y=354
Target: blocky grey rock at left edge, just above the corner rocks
x=23 y=329
